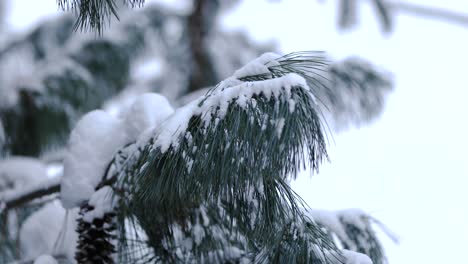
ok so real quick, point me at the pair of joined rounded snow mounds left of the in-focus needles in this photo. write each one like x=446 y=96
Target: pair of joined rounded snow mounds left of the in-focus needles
x=97 y=137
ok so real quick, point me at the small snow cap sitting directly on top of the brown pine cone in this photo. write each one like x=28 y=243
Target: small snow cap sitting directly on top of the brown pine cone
x=102 y=201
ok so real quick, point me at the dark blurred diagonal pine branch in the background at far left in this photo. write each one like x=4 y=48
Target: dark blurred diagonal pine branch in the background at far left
x=76 y=81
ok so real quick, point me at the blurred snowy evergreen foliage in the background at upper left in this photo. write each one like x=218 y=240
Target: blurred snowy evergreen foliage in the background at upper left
x=92 y=70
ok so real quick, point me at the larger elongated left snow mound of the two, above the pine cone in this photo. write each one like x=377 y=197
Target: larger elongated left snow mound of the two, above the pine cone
x=92 y=145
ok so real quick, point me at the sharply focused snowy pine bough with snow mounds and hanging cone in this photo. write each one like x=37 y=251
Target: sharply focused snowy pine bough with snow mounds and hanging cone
x=207 y=182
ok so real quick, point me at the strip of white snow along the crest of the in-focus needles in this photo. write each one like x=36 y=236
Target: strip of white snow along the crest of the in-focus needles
x=219 y=101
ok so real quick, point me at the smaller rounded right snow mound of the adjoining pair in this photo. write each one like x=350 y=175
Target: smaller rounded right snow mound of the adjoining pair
x=148 y=110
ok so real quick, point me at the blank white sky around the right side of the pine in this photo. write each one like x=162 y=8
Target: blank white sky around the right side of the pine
x=409 y=169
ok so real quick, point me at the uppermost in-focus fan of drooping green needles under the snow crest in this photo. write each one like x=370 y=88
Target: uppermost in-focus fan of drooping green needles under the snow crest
x=255 y=119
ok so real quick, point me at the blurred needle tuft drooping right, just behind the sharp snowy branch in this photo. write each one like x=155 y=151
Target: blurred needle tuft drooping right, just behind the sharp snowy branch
x=351 y=91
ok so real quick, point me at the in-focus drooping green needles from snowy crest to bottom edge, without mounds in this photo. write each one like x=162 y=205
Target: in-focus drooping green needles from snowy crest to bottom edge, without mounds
x=235 y=148
